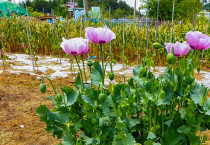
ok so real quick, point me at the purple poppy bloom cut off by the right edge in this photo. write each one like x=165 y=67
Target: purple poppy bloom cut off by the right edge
x=198 y=40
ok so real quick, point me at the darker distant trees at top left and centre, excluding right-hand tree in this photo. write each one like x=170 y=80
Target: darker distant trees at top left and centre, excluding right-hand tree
x=119 y=9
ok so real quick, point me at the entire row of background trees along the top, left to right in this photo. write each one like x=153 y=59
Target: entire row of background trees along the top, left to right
x=184 y=9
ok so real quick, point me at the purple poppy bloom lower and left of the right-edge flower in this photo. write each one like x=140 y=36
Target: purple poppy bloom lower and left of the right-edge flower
x=180 y=49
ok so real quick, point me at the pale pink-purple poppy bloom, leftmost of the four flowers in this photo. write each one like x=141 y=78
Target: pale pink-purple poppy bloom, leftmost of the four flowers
x=75 y=46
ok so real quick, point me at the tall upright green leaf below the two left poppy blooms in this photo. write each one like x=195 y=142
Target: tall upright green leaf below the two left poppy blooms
x=96 y=74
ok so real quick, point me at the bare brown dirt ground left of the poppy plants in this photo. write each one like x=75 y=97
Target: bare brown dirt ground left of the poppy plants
x=19 y=98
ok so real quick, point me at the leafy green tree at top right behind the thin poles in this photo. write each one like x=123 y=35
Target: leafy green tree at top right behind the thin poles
x=184 y=9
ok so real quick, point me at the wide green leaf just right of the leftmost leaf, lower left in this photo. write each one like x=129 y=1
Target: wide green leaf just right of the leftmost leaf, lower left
x=59 y=116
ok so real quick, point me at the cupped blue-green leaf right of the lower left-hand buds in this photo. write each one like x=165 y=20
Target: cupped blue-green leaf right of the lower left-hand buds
x=71 y=95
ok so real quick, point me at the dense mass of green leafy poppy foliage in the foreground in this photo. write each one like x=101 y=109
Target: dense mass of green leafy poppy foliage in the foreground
x=166 y=110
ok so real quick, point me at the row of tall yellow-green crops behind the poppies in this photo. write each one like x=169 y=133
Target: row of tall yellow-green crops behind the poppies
x=130 y=45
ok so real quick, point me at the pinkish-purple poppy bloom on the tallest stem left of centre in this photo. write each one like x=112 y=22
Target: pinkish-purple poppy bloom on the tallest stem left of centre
x=99 y=35
